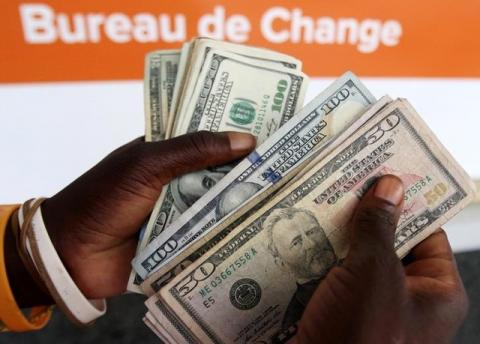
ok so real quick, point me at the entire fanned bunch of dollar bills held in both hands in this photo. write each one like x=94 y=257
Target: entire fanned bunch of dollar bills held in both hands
x=232 y=254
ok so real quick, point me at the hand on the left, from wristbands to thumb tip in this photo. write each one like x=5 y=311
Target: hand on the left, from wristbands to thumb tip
x=94 y=221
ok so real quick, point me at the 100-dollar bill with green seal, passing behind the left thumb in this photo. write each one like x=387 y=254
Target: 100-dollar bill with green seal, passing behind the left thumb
x=227 y=100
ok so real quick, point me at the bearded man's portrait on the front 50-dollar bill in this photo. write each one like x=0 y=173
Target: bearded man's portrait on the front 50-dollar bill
x=300 y=247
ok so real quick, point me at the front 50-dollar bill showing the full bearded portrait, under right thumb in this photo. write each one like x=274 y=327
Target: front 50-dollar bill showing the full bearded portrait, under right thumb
x=264 y=272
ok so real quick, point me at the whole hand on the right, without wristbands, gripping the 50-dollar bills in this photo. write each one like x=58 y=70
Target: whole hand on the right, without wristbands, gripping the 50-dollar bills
x=373 y=298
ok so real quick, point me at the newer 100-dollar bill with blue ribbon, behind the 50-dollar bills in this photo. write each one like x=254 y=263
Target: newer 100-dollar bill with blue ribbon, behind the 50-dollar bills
x=267 y=168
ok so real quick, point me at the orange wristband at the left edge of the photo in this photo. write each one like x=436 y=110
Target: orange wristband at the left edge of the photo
x=11 y=317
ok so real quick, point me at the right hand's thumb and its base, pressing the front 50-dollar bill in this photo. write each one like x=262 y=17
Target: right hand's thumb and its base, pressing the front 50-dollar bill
x=368 y=291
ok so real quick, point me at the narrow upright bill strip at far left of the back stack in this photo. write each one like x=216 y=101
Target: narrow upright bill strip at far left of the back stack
x=159 y=81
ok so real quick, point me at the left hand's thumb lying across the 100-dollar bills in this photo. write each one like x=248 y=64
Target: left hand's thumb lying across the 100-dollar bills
x=171 y=158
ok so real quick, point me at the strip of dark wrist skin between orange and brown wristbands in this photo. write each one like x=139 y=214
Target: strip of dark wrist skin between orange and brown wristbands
x=25 y=289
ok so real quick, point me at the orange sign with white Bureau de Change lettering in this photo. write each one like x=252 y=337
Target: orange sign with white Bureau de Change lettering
x=55 y=40
